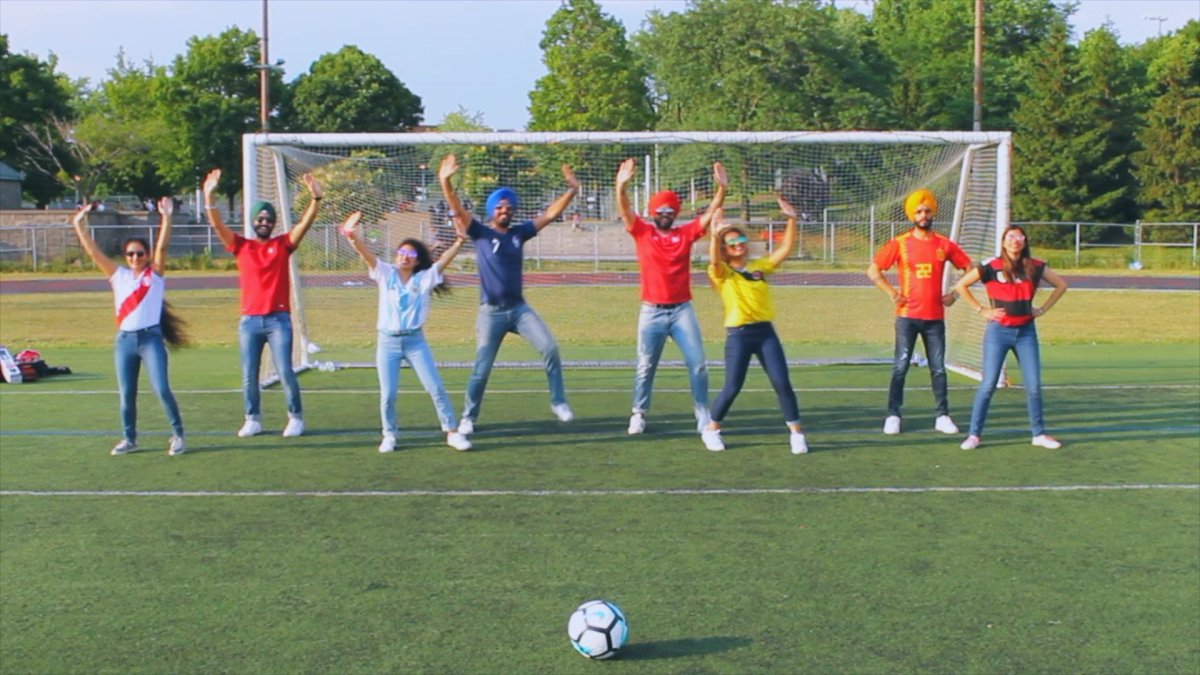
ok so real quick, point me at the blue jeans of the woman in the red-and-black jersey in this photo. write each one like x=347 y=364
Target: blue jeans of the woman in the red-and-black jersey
x=998 y=342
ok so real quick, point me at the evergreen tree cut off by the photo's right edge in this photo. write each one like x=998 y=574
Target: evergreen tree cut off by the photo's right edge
x=1169 y=165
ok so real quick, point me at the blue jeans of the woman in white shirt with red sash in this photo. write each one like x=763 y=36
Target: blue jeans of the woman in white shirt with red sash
x=131 y=350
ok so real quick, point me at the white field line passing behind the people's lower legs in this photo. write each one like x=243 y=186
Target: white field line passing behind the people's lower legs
x=11 y=392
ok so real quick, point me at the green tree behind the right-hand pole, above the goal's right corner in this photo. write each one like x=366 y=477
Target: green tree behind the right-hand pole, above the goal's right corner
x=932 y=45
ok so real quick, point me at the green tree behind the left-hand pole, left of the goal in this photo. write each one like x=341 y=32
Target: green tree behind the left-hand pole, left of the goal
x=212 y=100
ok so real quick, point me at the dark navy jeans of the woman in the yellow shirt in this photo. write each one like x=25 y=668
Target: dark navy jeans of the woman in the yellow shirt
x=755 y=341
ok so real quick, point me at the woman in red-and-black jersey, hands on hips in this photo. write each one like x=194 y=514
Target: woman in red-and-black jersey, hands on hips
x=1012 y=280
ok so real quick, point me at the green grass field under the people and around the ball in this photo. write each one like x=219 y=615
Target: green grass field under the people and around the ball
x=872 y=554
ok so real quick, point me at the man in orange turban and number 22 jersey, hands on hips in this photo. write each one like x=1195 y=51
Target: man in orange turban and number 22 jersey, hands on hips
x=921 y=256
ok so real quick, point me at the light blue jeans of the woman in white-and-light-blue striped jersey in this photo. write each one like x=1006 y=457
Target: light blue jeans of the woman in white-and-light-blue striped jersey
x=389 y=353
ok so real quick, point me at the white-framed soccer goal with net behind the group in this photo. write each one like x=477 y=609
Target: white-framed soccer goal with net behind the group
x=581 y=274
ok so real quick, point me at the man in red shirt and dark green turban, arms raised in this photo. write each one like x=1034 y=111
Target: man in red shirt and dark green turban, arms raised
x=265 y=277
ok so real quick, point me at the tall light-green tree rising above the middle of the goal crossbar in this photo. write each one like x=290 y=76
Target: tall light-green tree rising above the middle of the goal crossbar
x=595 y=81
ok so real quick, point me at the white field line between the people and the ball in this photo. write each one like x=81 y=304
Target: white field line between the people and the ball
x=603 y=493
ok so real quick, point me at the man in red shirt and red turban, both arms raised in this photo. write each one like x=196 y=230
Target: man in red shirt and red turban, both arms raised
x=664 y=258
